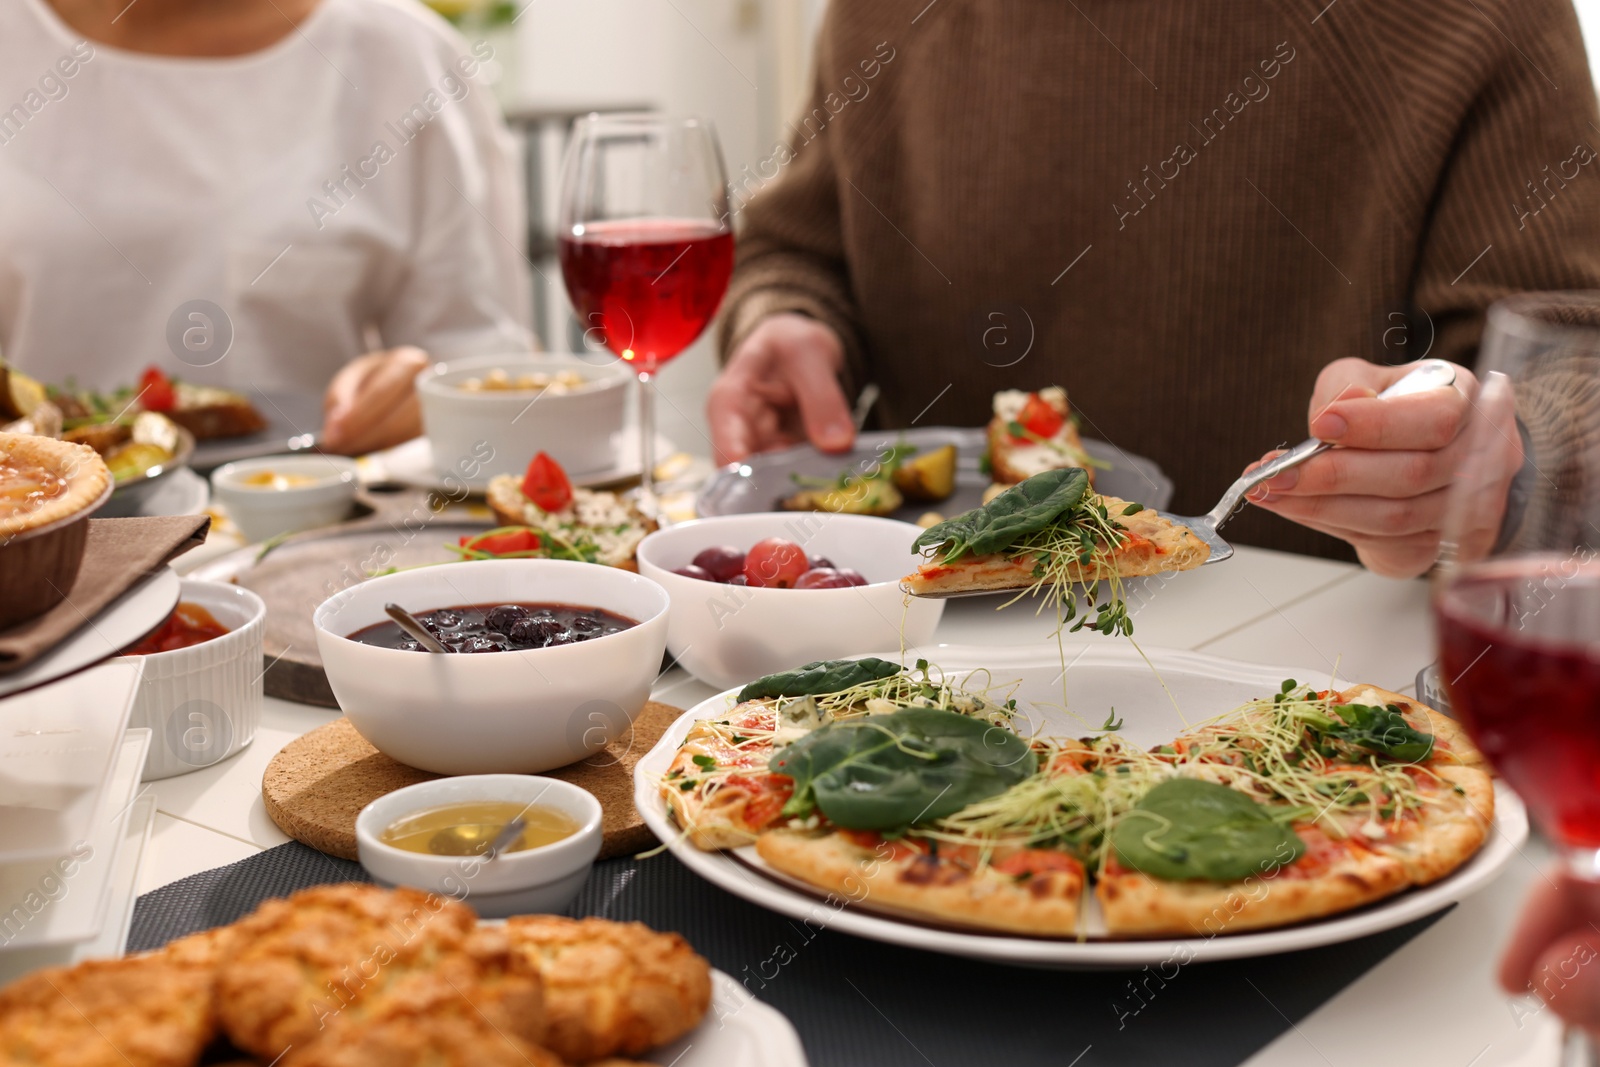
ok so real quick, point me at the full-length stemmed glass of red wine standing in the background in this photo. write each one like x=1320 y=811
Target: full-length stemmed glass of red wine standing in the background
x=646 y=241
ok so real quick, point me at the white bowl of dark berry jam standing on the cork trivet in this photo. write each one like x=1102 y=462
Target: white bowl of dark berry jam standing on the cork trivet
x=551 y=661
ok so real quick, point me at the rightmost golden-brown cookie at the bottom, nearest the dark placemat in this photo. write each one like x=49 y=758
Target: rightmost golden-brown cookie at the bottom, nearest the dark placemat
x=612 y=988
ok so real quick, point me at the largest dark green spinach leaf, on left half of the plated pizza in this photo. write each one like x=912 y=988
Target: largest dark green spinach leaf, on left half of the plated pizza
x=892 y=772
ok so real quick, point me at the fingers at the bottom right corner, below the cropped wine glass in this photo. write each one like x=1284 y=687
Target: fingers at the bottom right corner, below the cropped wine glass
x=1556 y=951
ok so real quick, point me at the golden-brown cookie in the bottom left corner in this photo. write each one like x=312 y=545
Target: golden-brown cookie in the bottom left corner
x=142 y=1012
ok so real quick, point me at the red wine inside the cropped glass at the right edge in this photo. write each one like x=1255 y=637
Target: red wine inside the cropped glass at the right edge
x=1521 y=655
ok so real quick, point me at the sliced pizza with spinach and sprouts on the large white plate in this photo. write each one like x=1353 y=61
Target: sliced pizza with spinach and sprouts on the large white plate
x=1286 y=810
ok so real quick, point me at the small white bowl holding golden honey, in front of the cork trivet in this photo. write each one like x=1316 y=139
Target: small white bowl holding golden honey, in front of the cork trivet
x=526 y=882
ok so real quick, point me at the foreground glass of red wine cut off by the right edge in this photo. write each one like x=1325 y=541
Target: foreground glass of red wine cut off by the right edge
x=1518 y=591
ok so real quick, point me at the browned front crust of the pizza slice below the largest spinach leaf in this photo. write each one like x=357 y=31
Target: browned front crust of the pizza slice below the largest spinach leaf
x=900 y=879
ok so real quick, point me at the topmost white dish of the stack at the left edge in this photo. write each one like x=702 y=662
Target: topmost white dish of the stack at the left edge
x=57 y=756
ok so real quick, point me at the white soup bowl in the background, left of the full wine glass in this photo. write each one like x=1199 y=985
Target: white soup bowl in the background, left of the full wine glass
x=466 y=426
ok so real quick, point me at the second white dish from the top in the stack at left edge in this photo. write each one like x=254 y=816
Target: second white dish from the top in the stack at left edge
x=78 y=913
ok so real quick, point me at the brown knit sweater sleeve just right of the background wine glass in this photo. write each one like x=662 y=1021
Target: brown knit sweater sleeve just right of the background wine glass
x=791 y=254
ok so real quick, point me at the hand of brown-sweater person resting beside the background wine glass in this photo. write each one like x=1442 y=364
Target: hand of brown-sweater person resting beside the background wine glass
x=782 y=388
